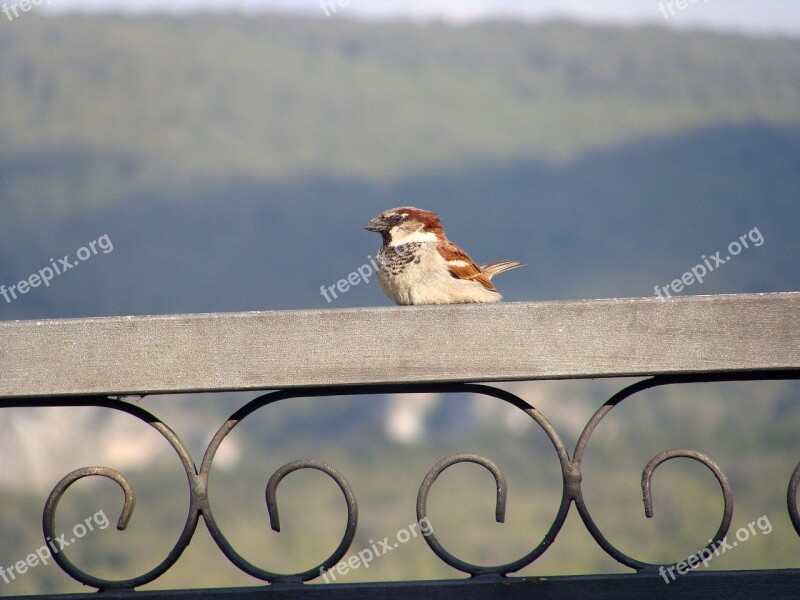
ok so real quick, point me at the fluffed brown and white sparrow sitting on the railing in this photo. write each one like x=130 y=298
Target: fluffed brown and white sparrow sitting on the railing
x=417 y=264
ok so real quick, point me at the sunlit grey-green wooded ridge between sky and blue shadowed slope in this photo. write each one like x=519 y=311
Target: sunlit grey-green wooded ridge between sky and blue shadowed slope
x=288 y=97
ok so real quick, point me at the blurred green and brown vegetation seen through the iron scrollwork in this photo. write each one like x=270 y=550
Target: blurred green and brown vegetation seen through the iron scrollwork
x=717 y=419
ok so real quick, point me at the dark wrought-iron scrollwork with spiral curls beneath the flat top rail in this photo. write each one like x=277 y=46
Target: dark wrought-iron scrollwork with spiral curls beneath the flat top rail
x=199 y=505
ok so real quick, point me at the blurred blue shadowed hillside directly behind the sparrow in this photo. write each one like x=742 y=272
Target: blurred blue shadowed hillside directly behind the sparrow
x=612 y=223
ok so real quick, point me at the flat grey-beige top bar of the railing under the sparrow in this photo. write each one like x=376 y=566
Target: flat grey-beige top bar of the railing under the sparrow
x=507 y=341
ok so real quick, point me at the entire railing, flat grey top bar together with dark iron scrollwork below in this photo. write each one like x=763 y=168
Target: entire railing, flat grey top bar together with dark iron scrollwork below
x=763 y=343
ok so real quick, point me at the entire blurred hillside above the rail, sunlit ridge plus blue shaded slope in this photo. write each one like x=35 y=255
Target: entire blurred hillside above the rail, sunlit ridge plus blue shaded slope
x=227 y=153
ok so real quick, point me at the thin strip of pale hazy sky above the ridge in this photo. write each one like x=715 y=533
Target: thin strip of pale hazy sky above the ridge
x=760 y=16
